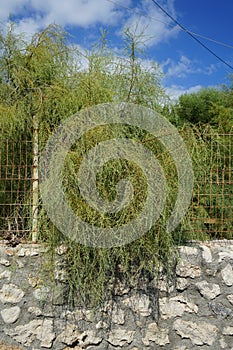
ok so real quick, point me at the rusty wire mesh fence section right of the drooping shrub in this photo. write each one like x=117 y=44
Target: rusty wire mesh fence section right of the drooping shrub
x=212 y=203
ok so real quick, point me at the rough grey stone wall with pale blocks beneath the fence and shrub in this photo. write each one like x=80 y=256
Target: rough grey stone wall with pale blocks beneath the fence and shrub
x=195 y=310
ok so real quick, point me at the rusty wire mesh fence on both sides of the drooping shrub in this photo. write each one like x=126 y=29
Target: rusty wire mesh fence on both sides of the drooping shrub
x=210 y=214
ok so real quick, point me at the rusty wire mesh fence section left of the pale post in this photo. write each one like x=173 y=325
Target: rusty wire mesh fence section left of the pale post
x=15 y=188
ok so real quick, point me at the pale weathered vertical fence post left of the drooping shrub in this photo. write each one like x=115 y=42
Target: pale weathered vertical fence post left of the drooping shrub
x=35 y=180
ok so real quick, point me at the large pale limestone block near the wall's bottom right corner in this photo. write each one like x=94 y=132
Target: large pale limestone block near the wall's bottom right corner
x=200 y=334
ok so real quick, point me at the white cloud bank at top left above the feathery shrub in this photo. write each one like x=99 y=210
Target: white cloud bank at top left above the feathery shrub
x=37 y=14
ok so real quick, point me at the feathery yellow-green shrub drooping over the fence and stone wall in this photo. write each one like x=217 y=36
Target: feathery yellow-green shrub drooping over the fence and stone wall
x=46 y=78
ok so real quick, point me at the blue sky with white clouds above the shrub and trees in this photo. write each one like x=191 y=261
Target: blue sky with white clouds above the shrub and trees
x=186 y=65
